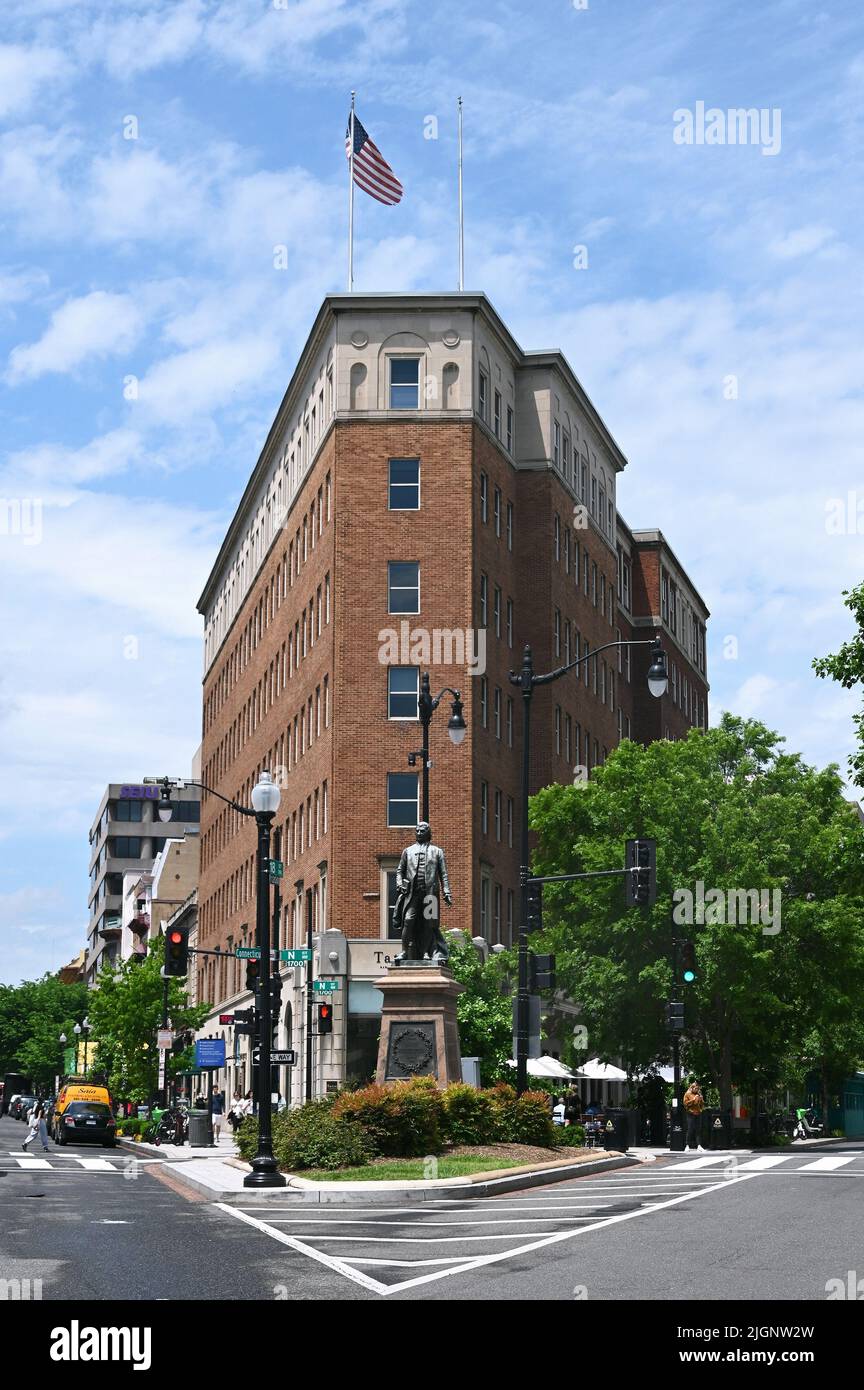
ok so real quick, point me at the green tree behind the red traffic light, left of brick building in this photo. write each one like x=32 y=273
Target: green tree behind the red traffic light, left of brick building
x=126 y=1014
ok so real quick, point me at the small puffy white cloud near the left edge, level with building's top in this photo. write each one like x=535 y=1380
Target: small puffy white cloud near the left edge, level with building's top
x=97 y=326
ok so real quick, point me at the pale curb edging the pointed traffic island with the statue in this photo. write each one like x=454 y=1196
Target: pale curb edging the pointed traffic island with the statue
x=410 y=1192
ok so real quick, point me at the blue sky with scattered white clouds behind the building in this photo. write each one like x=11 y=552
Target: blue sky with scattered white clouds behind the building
x=155 y=156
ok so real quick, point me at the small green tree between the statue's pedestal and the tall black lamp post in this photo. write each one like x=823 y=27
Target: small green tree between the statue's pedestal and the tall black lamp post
x=485 y=1010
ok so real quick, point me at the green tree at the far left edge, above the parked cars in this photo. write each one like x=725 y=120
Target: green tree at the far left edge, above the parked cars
x=33 y=1017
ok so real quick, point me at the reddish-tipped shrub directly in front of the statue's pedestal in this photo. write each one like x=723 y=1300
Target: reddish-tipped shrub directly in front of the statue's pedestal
x=401 y=1121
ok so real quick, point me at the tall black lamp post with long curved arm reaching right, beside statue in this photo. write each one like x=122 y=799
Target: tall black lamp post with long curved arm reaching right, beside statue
x=527 y=679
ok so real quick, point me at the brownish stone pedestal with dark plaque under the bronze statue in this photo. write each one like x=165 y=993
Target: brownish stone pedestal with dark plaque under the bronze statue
x=419 y=1029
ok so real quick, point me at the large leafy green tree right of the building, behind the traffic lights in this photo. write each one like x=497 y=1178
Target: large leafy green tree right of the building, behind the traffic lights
x=730 y=808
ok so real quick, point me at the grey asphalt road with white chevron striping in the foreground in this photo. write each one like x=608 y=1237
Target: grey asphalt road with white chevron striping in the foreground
x=101 y=1225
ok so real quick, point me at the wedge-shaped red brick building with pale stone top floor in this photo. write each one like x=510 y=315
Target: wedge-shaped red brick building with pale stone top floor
x=430 y=497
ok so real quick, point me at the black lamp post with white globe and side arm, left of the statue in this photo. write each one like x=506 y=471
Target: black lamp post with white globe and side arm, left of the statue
x=265 y=806
